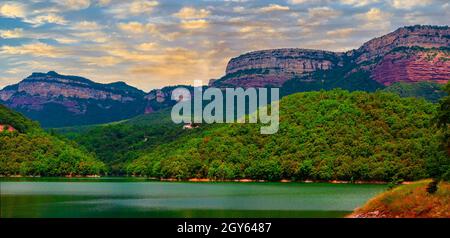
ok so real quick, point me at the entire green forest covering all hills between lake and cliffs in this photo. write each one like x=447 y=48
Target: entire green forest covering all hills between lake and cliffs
x=324 y=135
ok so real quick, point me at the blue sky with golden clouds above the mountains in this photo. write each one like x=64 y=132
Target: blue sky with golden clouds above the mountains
x=155 y=43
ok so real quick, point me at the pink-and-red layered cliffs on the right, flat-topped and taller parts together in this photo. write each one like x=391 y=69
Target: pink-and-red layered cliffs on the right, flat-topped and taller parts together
x=409 y=54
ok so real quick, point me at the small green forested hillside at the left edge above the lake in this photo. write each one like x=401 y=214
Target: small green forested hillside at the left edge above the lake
x=31 y=151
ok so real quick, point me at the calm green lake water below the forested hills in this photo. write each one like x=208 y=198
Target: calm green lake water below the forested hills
x=140 y=198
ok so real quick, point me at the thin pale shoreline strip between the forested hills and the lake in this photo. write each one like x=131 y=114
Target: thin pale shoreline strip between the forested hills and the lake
x=207 y=180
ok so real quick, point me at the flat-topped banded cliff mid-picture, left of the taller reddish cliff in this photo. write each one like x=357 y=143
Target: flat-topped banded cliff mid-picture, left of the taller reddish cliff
x=274 y=67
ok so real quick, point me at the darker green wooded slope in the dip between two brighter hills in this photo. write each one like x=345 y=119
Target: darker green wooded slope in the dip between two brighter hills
x=118 y=144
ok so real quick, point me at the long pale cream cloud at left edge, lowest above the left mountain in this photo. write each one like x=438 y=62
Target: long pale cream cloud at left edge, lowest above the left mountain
x=35 y=49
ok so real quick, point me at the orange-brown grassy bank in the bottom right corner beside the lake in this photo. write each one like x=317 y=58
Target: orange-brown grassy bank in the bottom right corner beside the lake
x=408 y=201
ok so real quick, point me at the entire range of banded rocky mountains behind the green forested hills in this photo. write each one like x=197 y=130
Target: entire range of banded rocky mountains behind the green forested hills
x=409 y=55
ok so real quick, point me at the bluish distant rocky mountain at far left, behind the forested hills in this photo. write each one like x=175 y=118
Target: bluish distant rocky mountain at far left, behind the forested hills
x=59 y=100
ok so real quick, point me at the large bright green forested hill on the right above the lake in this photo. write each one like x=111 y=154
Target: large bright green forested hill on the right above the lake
x=326 y=135
